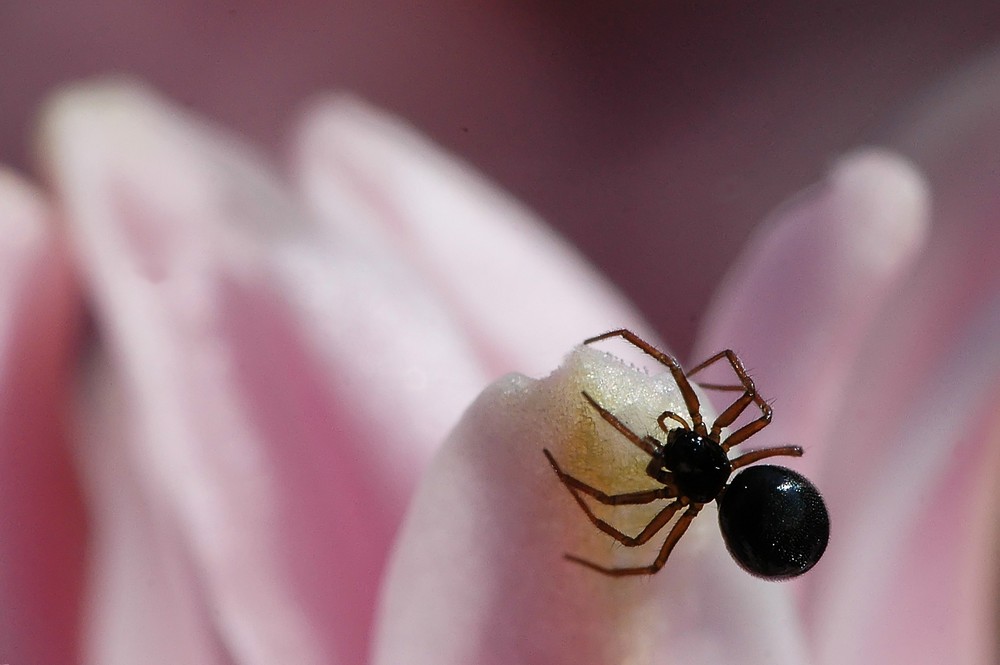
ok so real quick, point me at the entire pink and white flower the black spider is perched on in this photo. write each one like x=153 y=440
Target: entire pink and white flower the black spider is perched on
x=271 y=367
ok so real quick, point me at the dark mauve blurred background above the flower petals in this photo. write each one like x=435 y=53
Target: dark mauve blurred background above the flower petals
x=654 y=136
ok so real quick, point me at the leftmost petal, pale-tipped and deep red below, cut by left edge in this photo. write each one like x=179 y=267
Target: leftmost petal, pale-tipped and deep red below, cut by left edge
x=43 y=529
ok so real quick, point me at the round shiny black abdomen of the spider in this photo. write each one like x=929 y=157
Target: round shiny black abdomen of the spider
x=774 y=521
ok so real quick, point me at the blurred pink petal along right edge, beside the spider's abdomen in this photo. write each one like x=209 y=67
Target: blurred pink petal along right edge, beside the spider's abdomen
x=913 y=460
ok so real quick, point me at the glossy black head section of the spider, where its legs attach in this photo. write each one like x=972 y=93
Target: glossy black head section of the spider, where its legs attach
x=699 y=465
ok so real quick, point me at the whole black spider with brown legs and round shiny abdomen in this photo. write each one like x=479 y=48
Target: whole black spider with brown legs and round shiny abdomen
x=773 y=520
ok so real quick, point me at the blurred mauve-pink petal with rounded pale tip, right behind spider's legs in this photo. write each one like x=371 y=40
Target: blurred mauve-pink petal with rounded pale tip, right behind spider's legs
x=800 y=300
